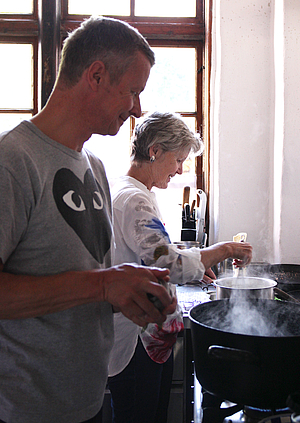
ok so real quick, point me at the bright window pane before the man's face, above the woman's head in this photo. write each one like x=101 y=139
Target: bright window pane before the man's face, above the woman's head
x=172 y=81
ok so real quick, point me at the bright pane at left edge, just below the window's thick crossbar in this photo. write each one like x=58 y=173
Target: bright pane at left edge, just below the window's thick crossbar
x=16 y=81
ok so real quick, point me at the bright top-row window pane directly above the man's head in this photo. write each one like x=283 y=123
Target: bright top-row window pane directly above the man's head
x=100 y=7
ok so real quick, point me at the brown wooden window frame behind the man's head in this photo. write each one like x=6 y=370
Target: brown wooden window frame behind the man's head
x=49 y=23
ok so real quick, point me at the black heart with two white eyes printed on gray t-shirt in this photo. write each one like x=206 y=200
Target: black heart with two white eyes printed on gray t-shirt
x=81 y=205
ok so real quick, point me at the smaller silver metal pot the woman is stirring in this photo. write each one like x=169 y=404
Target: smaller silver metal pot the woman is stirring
x=244 y=287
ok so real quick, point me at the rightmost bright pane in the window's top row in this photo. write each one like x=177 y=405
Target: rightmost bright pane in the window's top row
x=168 y=8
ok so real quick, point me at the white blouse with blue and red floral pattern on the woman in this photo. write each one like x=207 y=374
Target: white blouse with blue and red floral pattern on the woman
x=141 y=238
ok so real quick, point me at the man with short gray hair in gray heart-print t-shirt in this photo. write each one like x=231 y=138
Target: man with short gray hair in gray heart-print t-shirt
x=58 y=288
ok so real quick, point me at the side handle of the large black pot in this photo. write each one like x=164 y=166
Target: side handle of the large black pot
x=219 y=352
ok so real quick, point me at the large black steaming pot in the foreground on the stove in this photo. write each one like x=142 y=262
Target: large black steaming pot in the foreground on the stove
x=248 y=369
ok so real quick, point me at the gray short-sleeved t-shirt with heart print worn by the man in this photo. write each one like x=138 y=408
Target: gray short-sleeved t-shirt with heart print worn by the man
x=55 y=216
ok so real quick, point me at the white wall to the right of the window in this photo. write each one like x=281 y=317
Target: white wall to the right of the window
x=255 y=103
